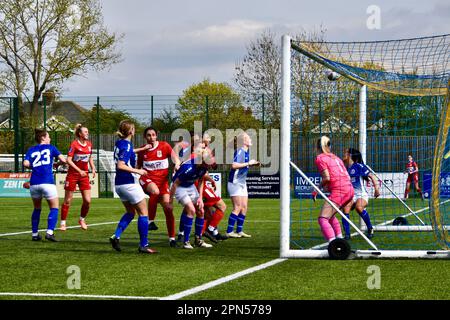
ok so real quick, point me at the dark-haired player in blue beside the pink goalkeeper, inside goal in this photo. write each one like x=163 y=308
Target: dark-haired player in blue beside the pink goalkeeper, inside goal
x=359 y=174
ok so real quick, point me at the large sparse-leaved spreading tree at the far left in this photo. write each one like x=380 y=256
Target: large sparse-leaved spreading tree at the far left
x=45 y=42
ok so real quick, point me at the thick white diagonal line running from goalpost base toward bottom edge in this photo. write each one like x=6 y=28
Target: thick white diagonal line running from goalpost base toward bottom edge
x=223 y=280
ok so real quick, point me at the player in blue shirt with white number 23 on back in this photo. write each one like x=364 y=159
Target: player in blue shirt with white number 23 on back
x=39 y=159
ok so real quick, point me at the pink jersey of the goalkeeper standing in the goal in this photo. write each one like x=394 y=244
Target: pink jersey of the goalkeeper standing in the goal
x=339 y=177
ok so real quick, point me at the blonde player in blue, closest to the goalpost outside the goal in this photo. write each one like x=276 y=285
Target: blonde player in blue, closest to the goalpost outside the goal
x=237 y=186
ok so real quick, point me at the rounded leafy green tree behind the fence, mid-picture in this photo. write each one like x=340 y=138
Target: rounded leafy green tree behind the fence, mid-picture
x=213 y=103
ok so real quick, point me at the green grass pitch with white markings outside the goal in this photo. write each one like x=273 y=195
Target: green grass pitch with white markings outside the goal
x=232 y=269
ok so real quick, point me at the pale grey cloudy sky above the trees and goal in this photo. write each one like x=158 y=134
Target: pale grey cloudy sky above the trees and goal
x=169 y=45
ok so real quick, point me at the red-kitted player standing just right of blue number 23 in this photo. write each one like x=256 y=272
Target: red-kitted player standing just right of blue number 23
x=79 y=159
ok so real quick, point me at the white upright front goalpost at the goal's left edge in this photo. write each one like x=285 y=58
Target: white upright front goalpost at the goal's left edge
x=285 y=144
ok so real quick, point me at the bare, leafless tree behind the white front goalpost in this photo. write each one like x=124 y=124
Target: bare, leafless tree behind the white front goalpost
x=259 y=73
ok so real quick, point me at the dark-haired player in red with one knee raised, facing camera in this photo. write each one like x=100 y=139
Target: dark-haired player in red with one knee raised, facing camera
x=155 y=183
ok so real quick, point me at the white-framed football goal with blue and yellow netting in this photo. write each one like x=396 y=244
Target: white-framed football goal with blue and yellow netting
x=390 y=101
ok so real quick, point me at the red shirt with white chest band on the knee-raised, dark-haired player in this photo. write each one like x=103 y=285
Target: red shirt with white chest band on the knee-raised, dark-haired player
x=156 y=161
